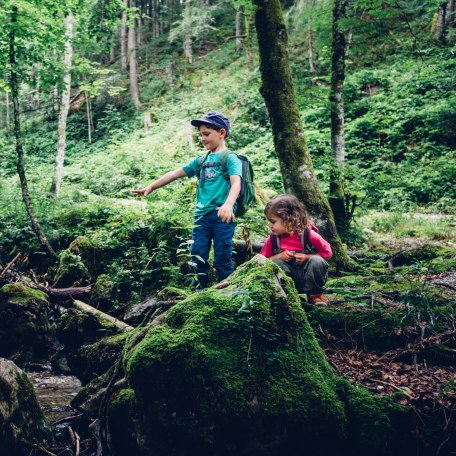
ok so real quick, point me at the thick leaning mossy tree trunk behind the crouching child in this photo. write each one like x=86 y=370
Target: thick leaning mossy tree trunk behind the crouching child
x=289 y=140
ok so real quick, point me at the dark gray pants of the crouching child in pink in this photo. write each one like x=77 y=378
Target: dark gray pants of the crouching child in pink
x=309 y=277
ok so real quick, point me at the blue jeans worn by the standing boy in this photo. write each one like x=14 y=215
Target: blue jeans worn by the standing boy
x=208 y=228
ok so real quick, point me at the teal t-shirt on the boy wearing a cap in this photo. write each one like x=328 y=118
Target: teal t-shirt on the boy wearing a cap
x=216 y=187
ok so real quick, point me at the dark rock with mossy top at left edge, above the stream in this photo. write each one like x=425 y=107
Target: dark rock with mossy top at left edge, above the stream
x=25 y=331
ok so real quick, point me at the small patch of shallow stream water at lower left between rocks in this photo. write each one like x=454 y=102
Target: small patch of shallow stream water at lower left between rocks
x=54 y=392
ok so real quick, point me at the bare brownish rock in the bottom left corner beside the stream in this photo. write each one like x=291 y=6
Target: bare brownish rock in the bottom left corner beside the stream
x=22 y=423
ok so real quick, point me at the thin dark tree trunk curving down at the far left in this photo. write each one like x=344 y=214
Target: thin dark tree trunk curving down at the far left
x=20 y=152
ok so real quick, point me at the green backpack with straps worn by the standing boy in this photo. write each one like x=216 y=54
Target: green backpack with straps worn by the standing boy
x=246 y=196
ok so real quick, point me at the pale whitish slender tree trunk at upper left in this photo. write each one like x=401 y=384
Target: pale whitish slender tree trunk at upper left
x=64 y=107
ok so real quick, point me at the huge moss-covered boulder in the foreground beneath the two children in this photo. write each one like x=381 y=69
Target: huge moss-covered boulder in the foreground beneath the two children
x=238 y=371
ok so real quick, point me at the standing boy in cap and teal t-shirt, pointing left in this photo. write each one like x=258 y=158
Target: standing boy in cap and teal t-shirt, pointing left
x=215 y=198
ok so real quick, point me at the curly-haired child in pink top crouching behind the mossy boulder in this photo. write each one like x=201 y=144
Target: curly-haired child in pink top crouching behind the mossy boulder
x=295 y=245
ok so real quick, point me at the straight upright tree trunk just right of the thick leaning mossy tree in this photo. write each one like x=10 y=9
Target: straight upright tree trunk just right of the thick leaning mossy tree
x=336 y=99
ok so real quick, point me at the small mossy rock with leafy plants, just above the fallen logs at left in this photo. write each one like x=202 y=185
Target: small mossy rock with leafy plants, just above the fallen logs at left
x=77 y=264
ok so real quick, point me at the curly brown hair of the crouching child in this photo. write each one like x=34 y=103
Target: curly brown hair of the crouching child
x=290 y=211
